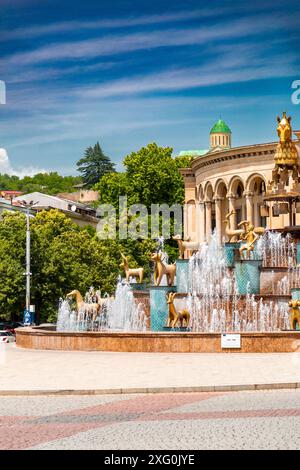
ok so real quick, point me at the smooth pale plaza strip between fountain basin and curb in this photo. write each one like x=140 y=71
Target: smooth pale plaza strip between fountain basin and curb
x=58 y=371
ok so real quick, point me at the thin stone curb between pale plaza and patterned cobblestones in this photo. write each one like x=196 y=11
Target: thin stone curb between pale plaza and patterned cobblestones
x=120 y=391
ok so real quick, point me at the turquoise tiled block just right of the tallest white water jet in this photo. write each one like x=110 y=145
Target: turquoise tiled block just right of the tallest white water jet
x=247 y=273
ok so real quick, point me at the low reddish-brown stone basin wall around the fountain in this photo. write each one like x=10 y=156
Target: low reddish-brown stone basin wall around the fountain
x=161 y=342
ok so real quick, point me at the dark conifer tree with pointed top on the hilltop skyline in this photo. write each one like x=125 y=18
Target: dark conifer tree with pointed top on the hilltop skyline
x=94 y=165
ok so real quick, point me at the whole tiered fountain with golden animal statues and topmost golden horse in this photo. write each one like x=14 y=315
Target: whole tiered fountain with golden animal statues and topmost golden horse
x=249 y=287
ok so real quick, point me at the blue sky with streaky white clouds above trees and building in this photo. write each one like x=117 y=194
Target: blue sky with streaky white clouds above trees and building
x=127 y=73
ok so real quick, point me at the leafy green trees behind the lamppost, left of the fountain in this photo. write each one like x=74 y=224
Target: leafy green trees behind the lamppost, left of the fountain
x=63 y=257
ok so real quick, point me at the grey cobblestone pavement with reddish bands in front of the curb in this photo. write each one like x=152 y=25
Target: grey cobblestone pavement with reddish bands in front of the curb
x=232 y=420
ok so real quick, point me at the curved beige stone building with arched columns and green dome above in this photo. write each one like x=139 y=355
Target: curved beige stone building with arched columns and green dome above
x=225 y=179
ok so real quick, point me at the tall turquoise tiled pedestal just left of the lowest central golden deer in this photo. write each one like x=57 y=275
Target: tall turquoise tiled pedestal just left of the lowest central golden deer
x=158 y=307
